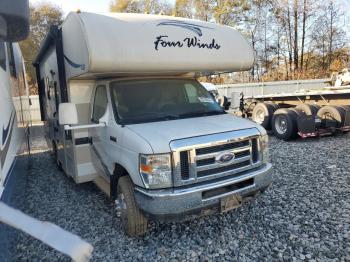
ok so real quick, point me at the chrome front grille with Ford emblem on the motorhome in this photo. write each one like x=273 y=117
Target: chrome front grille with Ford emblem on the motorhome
x=203 y=163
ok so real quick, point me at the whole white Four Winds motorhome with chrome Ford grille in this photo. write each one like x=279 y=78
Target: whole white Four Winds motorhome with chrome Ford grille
x=123 y=108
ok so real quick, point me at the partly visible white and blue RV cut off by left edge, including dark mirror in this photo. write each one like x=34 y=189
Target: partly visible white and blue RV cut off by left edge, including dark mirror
x=14 y=113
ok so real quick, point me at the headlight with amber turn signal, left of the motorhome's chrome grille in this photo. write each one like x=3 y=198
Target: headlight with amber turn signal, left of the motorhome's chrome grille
x=155 y=170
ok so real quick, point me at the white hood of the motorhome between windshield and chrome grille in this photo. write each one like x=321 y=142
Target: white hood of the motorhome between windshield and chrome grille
x=160 y=134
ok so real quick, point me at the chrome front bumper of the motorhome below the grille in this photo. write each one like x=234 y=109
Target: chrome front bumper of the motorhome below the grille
x=193 y=199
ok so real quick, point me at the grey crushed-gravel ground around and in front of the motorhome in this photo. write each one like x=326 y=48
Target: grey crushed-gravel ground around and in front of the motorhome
x=304 y=215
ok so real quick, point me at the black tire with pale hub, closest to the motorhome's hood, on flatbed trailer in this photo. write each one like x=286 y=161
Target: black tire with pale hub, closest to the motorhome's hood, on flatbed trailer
x=284 y=124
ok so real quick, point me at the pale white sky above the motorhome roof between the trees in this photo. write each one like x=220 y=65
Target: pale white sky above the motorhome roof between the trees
x=67 y=6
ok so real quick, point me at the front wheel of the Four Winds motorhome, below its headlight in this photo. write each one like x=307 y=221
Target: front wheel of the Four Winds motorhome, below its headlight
x=133 y=221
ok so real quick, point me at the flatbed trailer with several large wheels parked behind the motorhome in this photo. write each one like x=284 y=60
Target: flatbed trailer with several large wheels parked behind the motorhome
x=291 y=109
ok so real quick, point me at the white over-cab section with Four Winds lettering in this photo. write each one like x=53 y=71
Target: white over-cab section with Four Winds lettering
x=148 y=44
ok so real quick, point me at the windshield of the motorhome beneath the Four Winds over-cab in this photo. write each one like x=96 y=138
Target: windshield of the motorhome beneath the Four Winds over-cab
x=139 y=101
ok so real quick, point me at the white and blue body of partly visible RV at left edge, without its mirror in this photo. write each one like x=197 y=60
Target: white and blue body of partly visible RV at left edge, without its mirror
x=14 y=136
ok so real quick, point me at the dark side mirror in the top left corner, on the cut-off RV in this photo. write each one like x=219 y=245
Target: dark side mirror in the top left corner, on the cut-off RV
x=14 y=20
